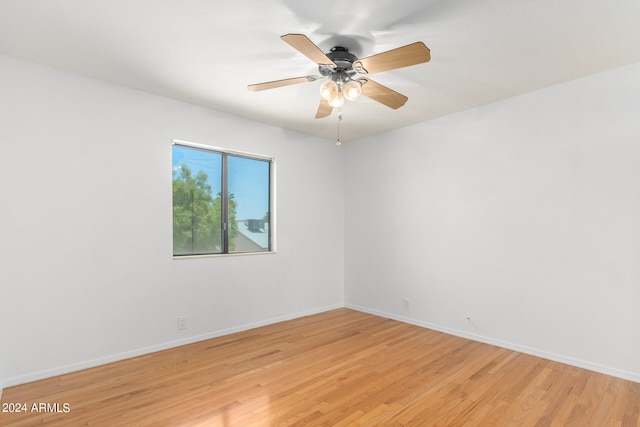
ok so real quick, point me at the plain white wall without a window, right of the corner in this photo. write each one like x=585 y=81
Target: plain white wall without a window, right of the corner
x=523 y=215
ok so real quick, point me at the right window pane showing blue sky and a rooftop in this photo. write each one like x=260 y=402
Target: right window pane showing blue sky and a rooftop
x=248 y=204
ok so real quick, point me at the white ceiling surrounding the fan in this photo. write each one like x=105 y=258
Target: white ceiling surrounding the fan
x=207 y=52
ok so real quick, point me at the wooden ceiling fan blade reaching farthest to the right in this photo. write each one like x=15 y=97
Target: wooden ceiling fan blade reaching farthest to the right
x=412 y=54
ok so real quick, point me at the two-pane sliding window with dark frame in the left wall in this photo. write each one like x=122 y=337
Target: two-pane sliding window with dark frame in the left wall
x=221 y=201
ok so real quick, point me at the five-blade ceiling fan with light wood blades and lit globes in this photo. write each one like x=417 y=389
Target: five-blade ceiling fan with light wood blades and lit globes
x=343 y=71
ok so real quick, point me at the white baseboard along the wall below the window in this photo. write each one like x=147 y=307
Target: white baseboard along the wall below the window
x=61 y=370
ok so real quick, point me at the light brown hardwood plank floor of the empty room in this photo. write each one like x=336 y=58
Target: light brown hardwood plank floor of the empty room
x=338 y=368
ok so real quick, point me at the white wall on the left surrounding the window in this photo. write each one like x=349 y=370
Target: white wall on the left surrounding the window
x=86 y=267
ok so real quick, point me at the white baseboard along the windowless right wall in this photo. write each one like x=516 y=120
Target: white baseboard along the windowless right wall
x=631 y=376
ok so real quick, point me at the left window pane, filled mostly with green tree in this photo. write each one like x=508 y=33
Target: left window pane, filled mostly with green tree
x=197 y=207
